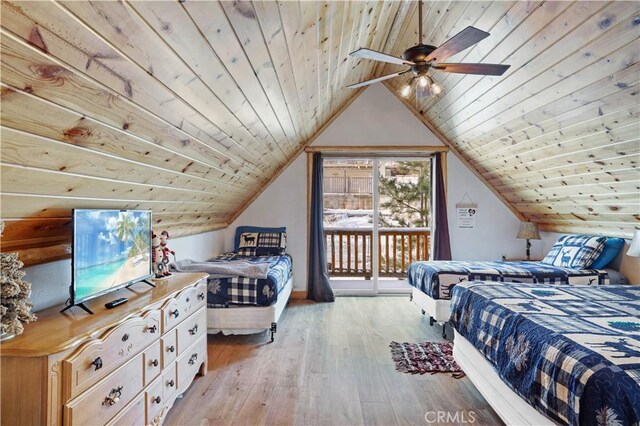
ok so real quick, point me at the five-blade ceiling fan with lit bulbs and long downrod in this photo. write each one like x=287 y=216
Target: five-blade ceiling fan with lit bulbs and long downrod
x=423 y=57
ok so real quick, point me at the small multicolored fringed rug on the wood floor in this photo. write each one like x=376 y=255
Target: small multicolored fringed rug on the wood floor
x=427 y=357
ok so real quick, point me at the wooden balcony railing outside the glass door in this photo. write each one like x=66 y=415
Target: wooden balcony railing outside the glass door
x=349 y=250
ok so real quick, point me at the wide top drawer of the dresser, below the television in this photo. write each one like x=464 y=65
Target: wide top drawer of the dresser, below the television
x=98 y=357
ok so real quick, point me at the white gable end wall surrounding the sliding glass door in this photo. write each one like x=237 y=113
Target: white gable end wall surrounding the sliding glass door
x=378 y=118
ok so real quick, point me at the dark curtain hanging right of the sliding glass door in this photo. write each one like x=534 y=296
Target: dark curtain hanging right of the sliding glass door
x=441 y=243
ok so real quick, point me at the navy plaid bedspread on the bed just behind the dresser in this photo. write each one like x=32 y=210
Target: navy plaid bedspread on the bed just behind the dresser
x=223 y=292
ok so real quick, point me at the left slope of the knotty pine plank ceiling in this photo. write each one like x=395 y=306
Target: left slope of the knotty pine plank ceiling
x=185 y=108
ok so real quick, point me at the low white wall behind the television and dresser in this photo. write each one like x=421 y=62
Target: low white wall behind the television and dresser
x=50 y=281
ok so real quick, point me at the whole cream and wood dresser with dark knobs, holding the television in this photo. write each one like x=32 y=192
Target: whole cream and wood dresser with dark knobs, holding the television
x=123 y=366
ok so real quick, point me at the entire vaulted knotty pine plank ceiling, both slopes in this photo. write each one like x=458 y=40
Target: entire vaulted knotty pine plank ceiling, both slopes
x=189 y=108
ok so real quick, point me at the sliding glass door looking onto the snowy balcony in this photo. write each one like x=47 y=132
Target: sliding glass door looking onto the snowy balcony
x=376 y=219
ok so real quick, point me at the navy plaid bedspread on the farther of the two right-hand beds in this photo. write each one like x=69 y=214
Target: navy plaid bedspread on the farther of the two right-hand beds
x=437 y=278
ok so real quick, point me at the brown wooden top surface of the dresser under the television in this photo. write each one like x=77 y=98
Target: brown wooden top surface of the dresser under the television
x=55 y=332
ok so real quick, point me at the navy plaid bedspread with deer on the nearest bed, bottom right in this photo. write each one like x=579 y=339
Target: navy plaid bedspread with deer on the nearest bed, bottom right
x=572 y=352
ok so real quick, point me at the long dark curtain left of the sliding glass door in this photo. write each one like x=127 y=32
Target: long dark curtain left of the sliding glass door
x=319 y=288
